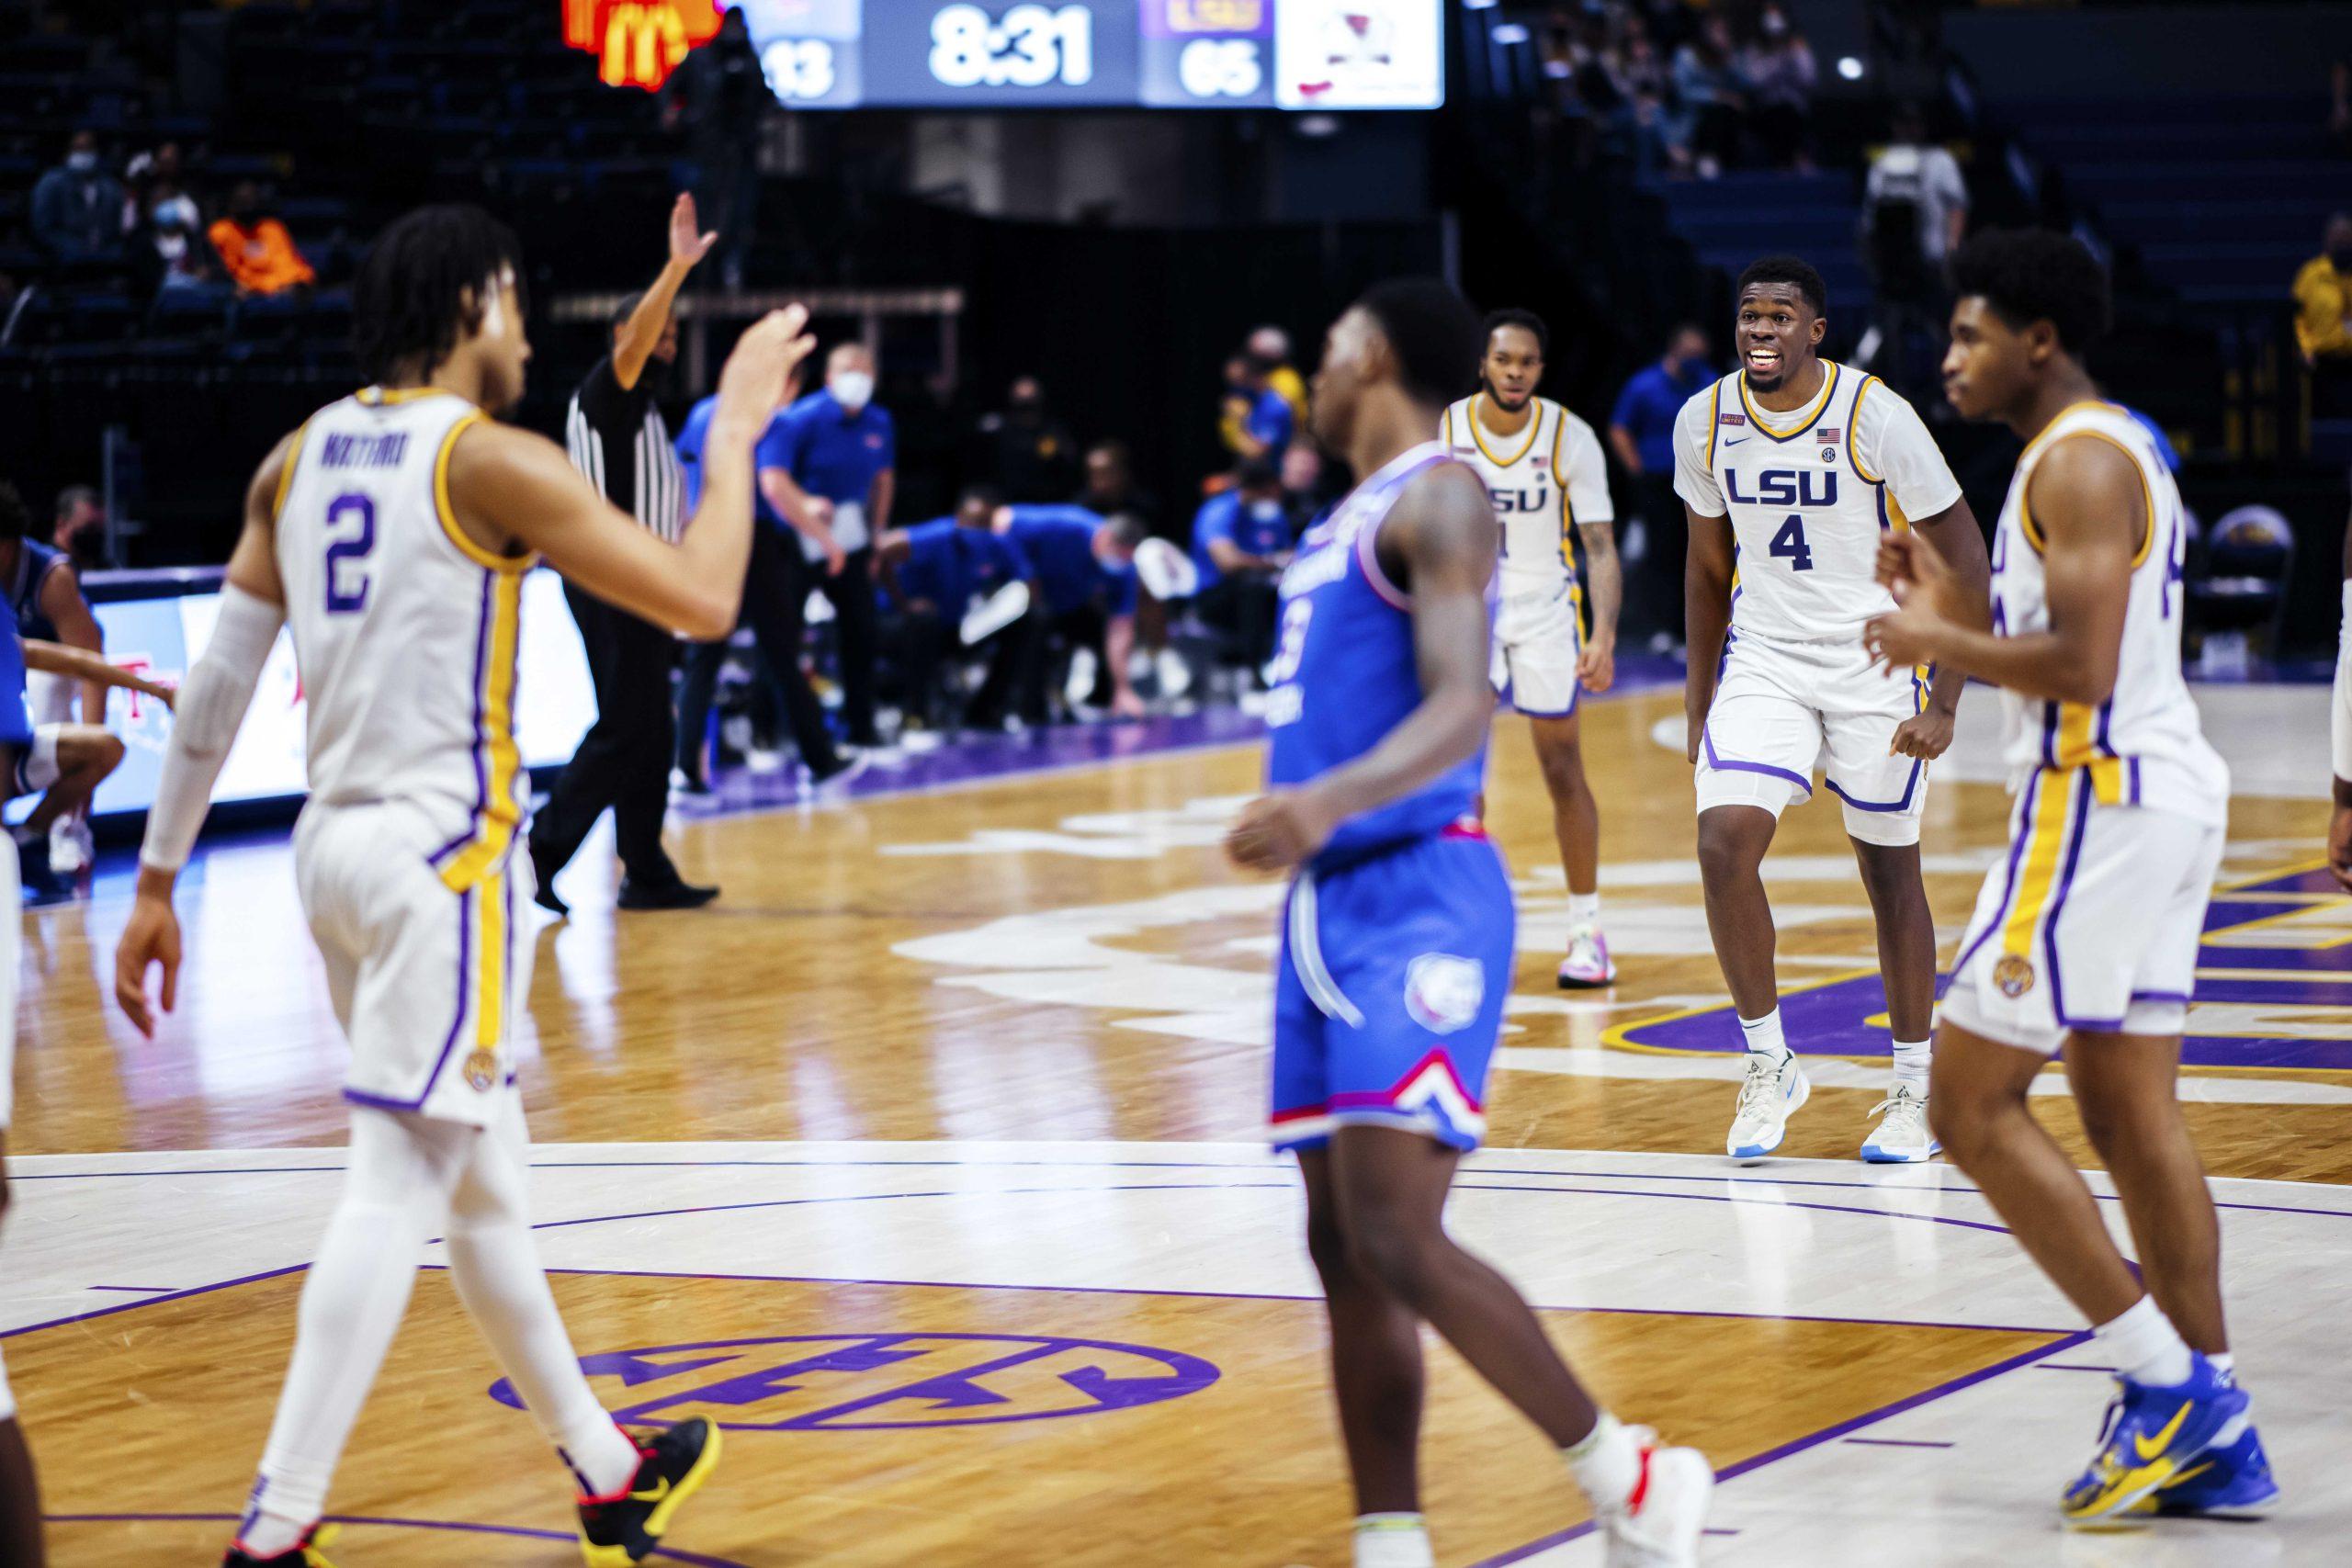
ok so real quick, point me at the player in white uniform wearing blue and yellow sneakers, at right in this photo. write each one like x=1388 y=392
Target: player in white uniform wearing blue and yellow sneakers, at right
x=2085 y=942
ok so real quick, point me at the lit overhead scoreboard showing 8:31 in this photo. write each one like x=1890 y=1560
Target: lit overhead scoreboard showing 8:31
x=1304 y=55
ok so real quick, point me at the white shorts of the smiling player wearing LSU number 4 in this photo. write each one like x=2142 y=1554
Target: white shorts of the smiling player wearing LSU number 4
x=1786 y=709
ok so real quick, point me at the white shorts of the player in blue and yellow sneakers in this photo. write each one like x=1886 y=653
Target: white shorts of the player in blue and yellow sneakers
x=2090 y=923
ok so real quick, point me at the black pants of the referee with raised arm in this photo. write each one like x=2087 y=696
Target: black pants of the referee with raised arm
x=624 y=760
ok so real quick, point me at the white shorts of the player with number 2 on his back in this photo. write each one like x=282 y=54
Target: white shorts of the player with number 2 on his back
x=429 y=981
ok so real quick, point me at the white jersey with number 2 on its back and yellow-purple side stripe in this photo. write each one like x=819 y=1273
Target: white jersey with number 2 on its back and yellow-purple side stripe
x=406 y=631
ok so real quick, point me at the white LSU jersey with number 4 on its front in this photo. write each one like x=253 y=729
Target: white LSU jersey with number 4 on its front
x=1808 y=497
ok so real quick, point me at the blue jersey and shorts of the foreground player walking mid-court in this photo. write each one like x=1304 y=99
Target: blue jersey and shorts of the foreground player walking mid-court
x=1398 y=937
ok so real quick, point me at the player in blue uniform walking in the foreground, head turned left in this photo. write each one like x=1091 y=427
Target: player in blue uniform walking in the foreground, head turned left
x=1398 y=939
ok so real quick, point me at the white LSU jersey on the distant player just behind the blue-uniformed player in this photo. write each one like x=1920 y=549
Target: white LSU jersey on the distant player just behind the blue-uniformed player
x=1544 y=483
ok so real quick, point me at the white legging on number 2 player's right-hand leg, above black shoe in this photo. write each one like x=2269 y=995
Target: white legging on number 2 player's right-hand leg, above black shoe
x=507 y=1296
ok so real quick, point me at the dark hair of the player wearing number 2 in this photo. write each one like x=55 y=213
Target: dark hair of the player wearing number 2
x=422 y=286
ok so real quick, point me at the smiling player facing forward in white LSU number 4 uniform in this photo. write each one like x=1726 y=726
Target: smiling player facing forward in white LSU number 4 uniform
x=1791 y=471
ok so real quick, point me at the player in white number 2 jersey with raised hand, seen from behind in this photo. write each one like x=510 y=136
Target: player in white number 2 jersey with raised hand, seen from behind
x=392 y=535
